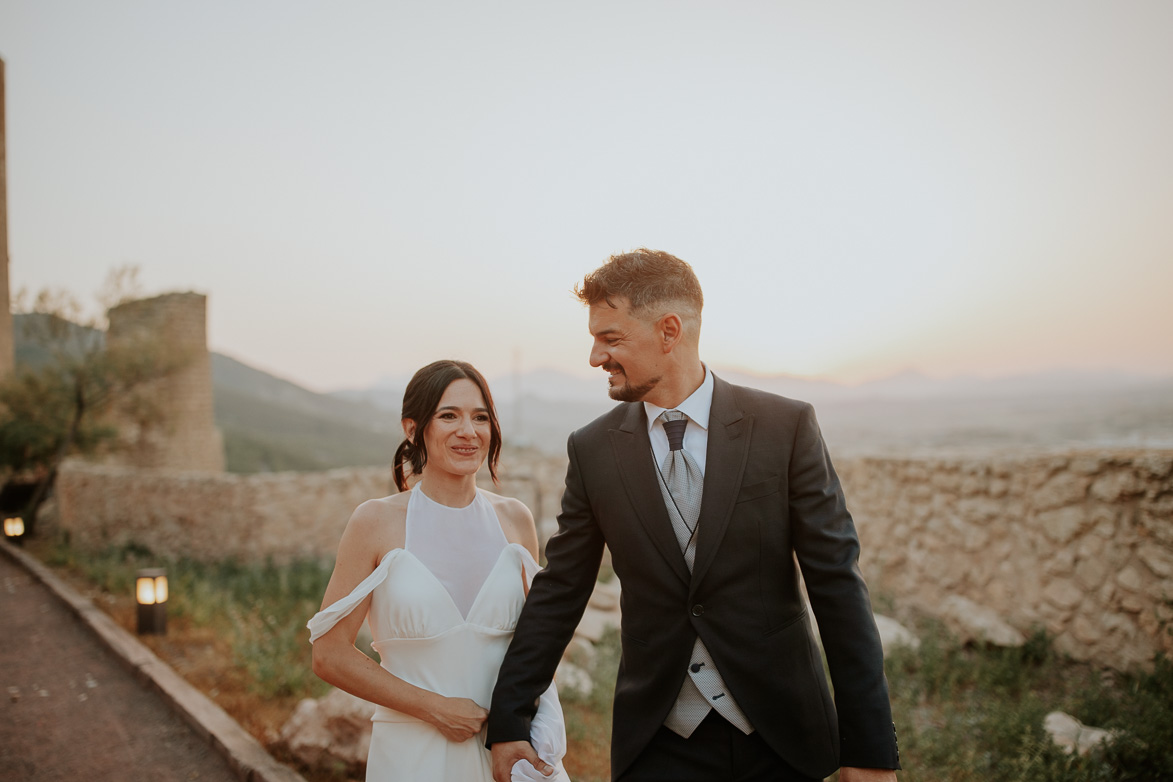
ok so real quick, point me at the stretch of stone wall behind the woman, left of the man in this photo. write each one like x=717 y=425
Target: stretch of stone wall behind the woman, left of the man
x=280 y=515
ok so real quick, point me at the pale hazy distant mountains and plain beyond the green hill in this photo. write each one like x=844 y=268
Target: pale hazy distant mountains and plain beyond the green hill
x=904 y=413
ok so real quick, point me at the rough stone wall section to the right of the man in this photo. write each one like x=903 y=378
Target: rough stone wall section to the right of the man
x=1079 y=543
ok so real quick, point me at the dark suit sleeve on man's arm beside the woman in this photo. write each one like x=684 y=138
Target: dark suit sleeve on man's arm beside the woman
x=555 y=606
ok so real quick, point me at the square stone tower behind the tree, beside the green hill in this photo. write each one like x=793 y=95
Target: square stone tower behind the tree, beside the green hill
x=184 y=434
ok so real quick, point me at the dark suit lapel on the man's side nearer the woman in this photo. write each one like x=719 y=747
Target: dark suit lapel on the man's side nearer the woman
x=633 y=455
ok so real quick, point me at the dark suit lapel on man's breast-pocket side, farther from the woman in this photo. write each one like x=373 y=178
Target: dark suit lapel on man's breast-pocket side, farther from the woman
x=729 y=448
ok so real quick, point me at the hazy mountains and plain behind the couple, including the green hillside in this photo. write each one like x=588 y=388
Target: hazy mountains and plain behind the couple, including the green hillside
x=270 y=424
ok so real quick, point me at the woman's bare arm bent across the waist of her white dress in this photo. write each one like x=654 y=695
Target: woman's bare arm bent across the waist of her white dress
x=374 y=529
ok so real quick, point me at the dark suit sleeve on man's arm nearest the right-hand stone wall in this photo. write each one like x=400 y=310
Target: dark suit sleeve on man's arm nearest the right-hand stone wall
x=828 y=550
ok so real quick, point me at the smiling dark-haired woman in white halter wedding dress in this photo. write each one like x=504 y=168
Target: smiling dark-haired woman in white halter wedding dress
x=440 y=573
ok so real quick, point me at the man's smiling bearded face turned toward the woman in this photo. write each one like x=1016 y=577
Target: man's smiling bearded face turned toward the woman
x=628 y=349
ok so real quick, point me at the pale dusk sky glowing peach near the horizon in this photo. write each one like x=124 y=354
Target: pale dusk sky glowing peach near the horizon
x=362 y=188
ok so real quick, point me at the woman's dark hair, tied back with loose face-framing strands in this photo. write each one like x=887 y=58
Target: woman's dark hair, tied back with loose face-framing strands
x=421 y=403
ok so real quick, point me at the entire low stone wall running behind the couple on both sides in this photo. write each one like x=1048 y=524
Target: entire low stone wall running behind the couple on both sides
x=1080 y=543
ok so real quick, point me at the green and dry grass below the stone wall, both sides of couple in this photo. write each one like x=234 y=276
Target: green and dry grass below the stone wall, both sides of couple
x=238 y=633
